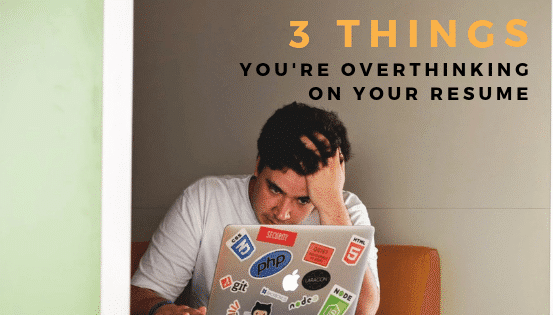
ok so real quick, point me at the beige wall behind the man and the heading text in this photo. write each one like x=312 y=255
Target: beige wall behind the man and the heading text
x=470 y=178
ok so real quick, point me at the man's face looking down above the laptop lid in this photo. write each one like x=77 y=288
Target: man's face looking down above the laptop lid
x=280 y=196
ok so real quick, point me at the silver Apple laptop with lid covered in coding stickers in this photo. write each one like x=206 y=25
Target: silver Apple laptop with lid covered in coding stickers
x=290 y=269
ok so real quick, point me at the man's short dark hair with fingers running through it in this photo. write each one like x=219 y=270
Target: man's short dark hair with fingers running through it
x=279 y=146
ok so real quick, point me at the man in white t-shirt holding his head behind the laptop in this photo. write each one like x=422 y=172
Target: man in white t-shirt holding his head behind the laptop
x=298 y=179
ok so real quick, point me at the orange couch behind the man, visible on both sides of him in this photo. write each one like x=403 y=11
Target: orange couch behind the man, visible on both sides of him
x=410 y=280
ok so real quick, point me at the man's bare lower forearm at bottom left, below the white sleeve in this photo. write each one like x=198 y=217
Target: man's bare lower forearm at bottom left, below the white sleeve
x=142 y=300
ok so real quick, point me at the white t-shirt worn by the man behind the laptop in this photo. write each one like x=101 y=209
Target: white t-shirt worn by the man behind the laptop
x=186 y=244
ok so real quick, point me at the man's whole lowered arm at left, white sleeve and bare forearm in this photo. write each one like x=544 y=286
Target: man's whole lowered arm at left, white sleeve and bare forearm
x=172 y=250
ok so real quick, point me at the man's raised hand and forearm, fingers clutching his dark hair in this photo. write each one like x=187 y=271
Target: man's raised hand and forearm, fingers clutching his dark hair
x=326 y=186
